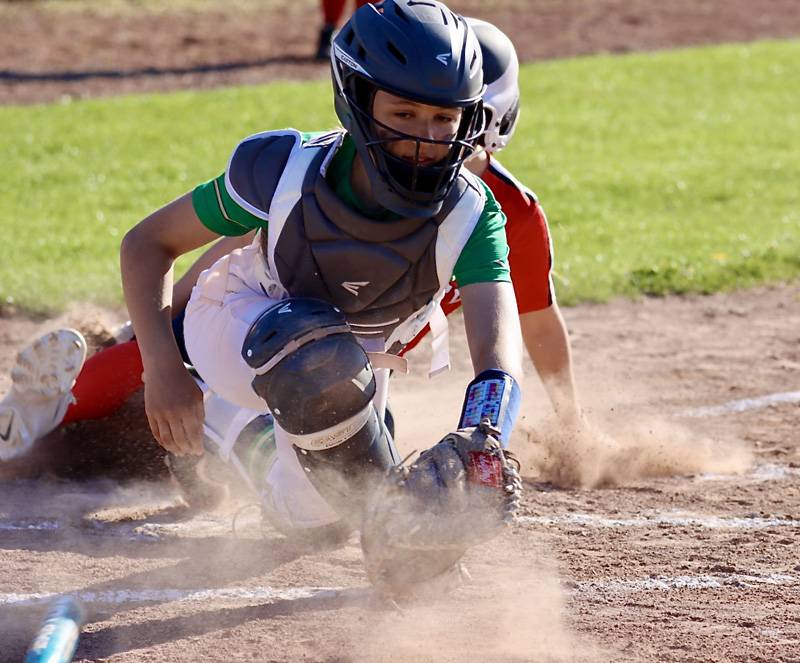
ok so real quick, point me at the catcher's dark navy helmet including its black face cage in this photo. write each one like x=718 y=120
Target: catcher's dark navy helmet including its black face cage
x=421 y=51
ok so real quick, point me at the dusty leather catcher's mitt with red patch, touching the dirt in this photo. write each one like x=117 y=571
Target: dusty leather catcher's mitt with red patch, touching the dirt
x=422 y=518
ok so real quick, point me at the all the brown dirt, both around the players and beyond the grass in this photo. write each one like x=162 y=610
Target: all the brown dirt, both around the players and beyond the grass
x=670 y=535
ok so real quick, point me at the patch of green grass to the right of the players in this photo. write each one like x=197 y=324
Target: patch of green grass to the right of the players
x=666 y=173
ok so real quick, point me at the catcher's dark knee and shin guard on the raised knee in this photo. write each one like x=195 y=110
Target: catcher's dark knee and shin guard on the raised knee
x=319 y=385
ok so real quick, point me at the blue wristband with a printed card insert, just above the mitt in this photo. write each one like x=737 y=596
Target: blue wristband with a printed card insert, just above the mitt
x=493 y=395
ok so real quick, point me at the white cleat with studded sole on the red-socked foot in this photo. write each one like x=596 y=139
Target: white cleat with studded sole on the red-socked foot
x=41 y=383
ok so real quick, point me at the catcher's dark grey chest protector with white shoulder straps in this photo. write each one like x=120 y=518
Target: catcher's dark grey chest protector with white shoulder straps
x=379 y=273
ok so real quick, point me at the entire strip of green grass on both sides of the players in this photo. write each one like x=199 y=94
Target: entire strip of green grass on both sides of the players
x=667 y=172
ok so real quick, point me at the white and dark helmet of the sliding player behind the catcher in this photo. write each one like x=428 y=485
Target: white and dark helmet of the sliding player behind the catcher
x=501 y=76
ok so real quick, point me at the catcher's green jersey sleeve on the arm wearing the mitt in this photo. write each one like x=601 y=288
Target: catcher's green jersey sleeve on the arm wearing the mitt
x=485 y=255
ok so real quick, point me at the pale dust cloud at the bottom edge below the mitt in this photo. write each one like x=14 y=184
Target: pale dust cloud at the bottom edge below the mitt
x=510 y=611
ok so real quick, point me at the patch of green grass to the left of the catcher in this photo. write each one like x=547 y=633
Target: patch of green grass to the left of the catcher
x=75 y=177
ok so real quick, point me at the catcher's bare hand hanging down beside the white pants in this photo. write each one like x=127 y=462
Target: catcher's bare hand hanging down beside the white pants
x=174 y=405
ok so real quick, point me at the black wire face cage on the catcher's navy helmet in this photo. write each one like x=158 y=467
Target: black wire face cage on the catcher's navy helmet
x=423 y=184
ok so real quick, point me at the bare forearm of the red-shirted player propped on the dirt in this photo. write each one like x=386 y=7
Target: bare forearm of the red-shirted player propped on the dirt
x=546 y=339
